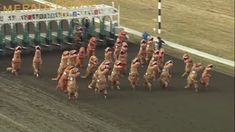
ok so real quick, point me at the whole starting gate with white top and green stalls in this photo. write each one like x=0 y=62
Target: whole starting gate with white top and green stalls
x=84 y=14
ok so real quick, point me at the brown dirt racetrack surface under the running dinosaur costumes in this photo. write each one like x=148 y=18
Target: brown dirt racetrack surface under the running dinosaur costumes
x=30 y=104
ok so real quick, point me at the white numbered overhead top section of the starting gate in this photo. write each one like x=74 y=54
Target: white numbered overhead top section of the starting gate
x=58 y=14
